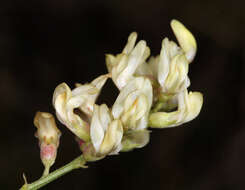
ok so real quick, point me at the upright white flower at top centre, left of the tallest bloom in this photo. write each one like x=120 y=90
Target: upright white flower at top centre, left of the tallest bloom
x=123 y=66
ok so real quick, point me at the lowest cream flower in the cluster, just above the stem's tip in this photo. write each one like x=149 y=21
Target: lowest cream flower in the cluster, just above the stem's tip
x=106 y=133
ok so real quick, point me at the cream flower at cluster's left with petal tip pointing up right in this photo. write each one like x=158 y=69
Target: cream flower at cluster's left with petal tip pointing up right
x=82 y=97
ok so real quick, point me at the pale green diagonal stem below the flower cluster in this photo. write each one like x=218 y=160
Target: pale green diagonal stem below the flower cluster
x=79 y=162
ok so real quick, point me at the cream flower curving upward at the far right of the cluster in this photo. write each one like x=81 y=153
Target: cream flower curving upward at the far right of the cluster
x=189 y=106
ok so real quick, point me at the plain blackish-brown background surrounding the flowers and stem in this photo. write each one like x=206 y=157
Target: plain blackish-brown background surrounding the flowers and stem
x=44 y=43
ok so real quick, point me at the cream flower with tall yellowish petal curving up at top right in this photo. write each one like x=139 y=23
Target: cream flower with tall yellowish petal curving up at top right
x=170 y=68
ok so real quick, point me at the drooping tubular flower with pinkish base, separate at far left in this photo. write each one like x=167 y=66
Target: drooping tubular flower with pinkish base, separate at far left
x=48 y=135
